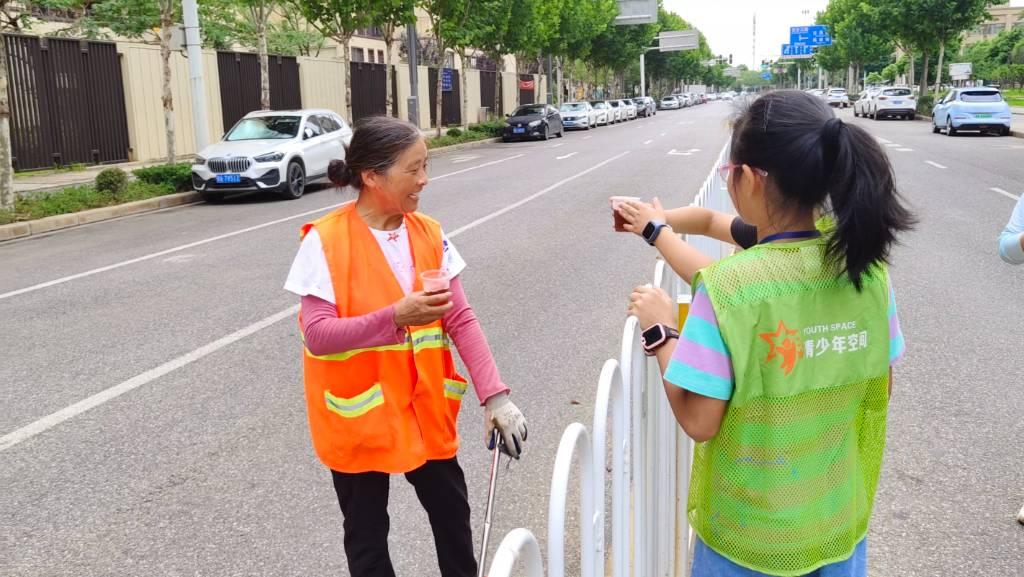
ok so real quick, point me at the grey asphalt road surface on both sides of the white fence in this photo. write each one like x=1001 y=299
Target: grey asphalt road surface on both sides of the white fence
x=196 y=460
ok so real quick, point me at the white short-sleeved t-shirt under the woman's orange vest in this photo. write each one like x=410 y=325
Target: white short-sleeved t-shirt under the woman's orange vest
x=310 y=274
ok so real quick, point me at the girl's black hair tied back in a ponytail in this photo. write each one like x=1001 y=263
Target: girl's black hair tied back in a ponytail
x=815 y=160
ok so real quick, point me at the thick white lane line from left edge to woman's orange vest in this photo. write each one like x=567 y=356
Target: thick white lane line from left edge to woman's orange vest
x=54 y=420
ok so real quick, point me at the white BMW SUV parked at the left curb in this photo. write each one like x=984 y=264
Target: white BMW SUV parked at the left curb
x=277 y=151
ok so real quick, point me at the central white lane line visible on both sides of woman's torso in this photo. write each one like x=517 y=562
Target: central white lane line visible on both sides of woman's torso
x=54 y=420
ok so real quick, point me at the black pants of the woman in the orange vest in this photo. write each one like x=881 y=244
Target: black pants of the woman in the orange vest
x=441 y=487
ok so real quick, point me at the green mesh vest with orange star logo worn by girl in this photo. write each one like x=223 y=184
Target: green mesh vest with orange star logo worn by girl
x=788 y=484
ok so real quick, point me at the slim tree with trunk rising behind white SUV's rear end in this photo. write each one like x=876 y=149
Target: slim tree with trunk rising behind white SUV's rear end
x=338 y=20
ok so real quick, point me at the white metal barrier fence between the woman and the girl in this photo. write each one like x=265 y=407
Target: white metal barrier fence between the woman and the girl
x=651 y=458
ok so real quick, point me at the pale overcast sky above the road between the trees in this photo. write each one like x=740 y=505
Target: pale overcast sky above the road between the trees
x=729 y=25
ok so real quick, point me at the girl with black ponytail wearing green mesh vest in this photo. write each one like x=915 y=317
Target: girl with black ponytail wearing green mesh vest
x=783 y=373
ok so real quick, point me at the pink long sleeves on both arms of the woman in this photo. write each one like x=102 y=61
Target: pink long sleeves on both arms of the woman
x=327 y=335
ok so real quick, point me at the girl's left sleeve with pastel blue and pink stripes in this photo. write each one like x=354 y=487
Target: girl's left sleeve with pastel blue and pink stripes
x=701 y=362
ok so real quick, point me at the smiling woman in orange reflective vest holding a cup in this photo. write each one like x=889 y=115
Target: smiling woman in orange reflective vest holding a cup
x=382 y=390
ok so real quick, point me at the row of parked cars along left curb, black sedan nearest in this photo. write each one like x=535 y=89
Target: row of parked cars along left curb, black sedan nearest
x=545 y=121
